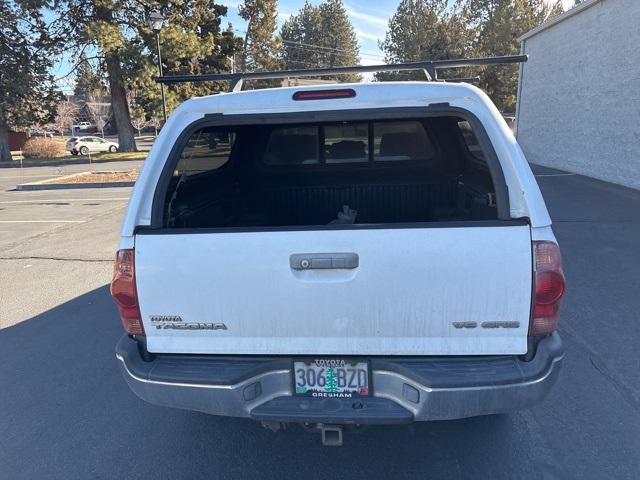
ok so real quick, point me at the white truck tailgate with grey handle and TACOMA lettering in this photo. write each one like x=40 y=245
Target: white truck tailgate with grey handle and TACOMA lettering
x=460 y=289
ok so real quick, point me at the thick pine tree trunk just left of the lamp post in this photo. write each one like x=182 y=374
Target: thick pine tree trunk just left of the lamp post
x=121 y=114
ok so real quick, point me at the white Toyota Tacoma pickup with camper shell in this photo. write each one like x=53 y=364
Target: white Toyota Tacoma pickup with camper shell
x=371 y=253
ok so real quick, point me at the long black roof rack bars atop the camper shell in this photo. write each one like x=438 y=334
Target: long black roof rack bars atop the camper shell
x=429 y=67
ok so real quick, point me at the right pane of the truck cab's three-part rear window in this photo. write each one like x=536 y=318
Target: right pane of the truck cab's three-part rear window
x=403 y=140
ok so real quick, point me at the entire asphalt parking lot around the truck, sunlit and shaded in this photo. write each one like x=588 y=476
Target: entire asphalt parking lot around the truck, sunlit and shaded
x=66 y=413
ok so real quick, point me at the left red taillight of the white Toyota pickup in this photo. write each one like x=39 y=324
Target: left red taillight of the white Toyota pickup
x=124 y=292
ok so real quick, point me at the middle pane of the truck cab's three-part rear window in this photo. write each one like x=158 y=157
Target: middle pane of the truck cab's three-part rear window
x=346 y=143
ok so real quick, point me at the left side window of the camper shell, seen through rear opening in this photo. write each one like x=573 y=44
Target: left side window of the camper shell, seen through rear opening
x=207 y=149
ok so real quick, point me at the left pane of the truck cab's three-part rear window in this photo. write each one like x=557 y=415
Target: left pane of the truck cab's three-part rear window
x=293 y=146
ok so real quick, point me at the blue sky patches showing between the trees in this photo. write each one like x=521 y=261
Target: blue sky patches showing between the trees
x=369 y=19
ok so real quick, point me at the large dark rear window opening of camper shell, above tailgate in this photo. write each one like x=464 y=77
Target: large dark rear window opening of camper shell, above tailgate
x=333 y=174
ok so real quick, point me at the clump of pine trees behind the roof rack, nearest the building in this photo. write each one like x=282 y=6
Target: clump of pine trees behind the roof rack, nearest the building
x=441 y=29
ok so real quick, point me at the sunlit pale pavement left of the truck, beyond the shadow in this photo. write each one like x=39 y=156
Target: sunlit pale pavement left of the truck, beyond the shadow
x=55 y=245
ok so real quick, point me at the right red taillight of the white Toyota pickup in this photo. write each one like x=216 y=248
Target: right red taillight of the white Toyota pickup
x=549 y=287
